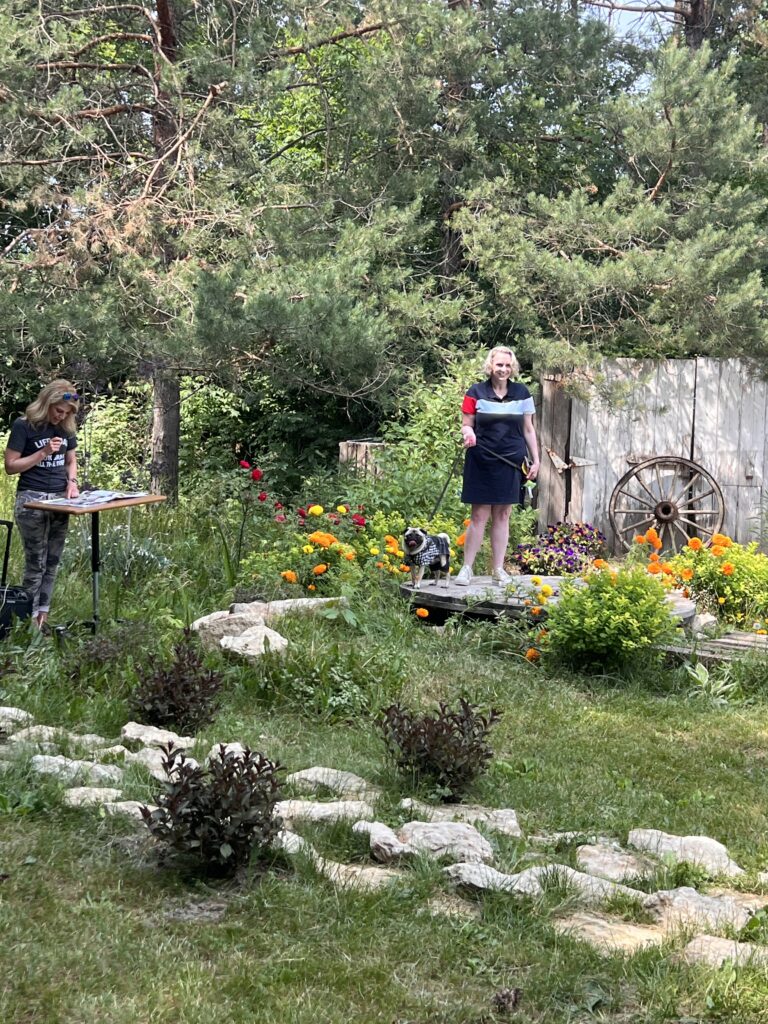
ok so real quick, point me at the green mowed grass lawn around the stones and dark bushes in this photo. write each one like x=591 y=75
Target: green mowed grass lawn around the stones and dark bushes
x=95 y=931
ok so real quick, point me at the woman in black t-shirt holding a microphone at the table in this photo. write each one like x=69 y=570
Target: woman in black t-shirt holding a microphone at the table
x=42 y=450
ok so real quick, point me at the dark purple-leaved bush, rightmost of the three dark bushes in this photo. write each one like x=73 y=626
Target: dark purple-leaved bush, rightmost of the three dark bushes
x=449 y=749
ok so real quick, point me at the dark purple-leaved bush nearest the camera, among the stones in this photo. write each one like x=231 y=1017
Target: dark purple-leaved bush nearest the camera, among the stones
x=221 y=816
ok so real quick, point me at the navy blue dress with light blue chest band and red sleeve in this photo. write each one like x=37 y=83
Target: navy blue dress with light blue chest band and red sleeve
x=499 y=424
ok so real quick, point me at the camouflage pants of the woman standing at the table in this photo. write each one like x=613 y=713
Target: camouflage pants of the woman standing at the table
x=44 y=536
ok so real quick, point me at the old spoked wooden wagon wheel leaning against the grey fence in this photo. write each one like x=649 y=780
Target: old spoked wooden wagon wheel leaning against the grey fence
x=676 y=496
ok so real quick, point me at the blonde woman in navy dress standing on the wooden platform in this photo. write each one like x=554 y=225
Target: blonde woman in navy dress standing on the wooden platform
x=497 y=420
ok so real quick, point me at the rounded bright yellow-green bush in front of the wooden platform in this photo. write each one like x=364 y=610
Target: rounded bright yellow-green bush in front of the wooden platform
x=601 y=624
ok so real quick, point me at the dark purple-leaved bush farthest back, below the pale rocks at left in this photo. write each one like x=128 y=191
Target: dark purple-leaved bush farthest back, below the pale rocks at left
x=183 y=695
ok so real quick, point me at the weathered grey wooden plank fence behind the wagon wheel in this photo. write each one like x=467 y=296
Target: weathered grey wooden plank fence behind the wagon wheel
x=710 y=411
